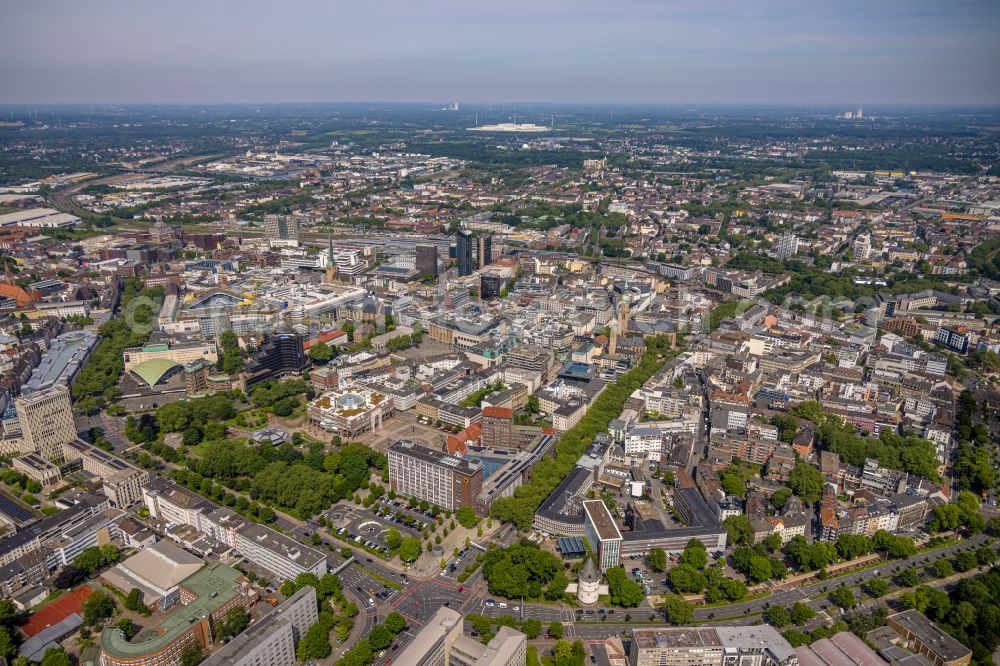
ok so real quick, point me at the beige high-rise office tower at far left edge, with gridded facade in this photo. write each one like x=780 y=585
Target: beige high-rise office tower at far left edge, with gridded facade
x=46 y=420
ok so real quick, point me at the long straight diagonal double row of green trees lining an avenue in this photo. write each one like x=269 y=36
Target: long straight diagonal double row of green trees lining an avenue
x=520 y=509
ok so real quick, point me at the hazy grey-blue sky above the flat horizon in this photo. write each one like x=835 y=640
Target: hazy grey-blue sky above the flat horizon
x=848 y=52
